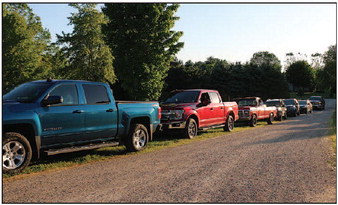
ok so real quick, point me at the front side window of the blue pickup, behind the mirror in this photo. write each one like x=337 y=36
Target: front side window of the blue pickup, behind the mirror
x=68 y=93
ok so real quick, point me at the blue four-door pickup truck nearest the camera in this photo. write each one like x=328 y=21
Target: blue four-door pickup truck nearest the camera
x=59 y=116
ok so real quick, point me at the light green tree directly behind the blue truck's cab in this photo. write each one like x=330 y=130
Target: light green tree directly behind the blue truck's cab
x=88 y=56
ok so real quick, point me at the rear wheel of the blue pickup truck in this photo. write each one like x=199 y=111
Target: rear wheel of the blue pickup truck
x=137 y=138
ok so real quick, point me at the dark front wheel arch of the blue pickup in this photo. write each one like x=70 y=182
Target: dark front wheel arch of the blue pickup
x=27 y=131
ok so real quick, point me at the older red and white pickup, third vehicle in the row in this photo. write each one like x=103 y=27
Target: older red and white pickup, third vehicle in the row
x=252 y=109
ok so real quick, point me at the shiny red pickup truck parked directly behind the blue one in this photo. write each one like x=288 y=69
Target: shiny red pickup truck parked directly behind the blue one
x=195 y=109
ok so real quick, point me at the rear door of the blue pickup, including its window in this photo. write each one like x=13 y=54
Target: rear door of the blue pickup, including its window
x=100 y=112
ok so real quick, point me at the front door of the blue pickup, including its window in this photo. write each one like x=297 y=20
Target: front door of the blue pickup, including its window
x=60 y=123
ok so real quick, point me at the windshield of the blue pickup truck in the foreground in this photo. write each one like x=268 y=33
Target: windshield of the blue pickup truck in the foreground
x=27 y=92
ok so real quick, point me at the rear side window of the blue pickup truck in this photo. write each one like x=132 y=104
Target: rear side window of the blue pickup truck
x=95 y=94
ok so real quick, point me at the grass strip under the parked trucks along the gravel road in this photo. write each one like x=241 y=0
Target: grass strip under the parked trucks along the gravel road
x=77 y=158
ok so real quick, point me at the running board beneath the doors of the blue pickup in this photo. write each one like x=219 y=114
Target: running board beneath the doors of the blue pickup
x=80 y=148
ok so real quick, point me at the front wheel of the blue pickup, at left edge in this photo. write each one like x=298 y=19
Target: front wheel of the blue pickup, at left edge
x=16 y=153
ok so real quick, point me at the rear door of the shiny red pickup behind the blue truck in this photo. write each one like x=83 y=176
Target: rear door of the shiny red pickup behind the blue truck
x=218 y=106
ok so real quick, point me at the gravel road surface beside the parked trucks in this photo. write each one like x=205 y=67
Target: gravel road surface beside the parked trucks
x=282 y=163
